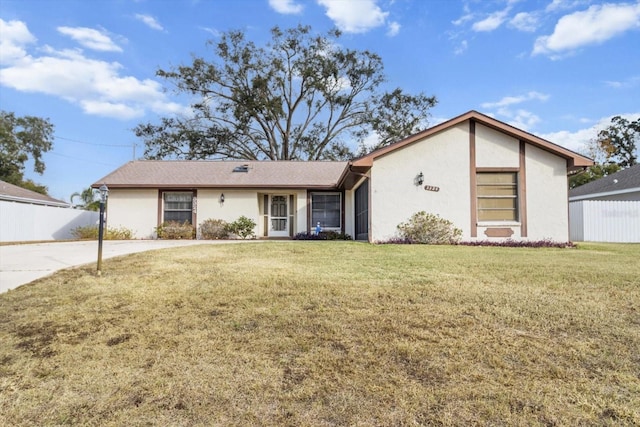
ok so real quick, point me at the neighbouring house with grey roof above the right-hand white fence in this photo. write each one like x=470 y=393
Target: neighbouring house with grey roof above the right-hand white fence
x=622 y=185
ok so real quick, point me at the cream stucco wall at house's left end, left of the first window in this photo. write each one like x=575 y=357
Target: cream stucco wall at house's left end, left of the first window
x=136 y=210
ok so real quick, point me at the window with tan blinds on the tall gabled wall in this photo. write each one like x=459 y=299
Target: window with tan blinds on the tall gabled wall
x=497 y=196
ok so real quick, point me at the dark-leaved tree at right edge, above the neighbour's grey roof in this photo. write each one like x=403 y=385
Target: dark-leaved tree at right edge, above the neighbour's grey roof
x=619 y=141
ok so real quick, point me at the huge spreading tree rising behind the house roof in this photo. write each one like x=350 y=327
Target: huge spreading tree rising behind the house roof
x=301 y=97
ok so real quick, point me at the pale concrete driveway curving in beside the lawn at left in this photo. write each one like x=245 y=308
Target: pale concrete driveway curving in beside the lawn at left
x=21 y=264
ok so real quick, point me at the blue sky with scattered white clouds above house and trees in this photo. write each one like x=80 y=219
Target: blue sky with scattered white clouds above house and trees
x=557 y=68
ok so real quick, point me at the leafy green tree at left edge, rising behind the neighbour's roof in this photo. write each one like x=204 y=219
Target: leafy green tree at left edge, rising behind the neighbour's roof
x=22 y=138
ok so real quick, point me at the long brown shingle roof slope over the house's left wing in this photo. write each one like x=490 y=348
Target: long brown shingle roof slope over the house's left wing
x=203 y=174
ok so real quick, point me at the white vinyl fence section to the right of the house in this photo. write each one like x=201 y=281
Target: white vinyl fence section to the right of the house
x=604 y=221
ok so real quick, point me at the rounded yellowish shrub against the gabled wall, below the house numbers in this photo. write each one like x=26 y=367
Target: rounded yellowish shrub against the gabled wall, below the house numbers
x=430 y=229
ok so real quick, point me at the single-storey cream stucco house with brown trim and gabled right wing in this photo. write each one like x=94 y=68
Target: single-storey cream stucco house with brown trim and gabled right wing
x=490 y=179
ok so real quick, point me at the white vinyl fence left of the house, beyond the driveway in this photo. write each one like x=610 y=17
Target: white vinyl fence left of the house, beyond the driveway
x=20 y=222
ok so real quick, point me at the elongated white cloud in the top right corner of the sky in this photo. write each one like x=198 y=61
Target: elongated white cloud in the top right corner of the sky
x=595 y=25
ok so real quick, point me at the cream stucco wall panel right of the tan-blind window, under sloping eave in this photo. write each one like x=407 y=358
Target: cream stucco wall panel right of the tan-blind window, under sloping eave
x=547 y=196
